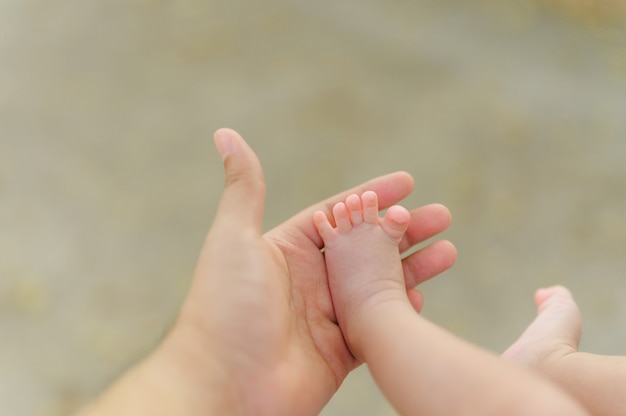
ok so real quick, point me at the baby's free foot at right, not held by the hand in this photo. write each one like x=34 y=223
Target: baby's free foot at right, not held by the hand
x=554 y=333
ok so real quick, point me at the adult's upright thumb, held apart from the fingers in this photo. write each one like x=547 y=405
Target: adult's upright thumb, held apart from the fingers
x=243 y=198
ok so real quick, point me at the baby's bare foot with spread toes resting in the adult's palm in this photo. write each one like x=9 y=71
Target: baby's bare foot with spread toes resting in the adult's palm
x=362 y=256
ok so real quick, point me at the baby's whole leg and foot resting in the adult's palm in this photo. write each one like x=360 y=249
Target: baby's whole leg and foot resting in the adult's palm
x=421 y=369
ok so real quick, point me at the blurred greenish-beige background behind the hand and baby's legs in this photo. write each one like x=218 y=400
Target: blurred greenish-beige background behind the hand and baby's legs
x=512 y=113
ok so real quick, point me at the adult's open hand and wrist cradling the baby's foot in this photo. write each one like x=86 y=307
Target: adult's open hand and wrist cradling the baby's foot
x=257 y=333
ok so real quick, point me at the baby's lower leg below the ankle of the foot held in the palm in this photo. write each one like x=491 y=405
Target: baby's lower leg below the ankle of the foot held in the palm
x=420 y=366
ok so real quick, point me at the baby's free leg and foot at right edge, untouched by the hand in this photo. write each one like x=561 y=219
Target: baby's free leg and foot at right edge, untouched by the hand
x=550 y=346
